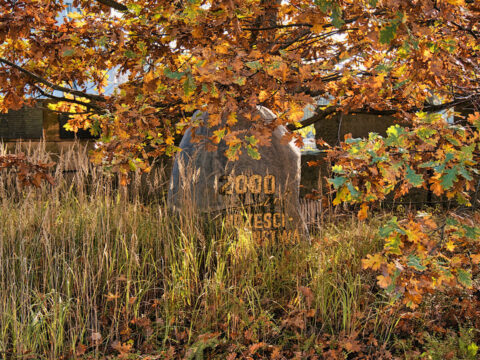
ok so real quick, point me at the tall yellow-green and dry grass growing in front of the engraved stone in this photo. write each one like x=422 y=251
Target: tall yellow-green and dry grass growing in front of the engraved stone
x=84 y=266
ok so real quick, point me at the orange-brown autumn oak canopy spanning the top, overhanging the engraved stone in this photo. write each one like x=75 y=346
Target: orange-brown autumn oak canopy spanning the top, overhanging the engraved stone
x=226 y=57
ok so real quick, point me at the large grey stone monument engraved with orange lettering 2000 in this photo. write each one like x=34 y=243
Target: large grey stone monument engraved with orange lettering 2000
x=262 y=195
